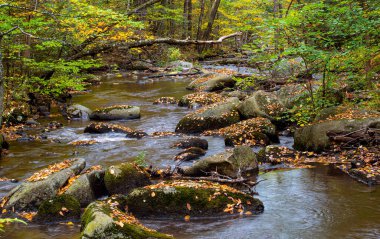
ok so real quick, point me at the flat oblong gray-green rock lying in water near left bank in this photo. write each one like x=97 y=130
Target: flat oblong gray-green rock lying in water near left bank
x=116 y=112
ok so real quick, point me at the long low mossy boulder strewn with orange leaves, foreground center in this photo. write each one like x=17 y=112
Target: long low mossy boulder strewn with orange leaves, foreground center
x=194 y=198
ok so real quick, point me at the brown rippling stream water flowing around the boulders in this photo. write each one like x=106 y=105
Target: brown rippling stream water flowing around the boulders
x=318 y=202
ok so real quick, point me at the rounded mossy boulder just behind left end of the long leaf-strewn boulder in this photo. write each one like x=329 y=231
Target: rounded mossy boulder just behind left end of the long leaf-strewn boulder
x=123 y=178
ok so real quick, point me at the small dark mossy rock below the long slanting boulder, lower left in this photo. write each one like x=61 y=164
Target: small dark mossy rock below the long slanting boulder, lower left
x=62 y=207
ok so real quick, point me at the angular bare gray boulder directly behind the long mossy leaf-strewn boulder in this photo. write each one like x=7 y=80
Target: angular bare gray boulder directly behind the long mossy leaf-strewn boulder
x=232 y=163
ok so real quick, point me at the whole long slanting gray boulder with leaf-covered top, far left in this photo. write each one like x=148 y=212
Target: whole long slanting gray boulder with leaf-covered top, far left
x=42 y=185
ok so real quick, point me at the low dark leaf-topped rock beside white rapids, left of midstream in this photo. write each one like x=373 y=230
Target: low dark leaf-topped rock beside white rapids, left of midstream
x=101 y=128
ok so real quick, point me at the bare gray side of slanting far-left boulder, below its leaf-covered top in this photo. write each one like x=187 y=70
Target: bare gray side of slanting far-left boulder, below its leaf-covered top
x=30 y=195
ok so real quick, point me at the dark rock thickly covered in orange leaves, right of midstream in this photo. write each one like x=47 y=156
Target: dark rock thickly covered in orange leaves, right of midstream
x=251 y=132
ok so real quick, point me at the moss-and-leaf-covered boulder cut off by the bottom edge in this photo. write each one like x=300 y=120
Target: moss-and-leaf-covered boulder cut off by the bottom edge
x=105 y=219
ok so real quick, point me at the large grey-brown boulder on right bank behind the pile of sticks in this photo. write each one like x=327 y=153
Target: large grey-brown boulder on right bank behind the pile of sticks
x=314 y=137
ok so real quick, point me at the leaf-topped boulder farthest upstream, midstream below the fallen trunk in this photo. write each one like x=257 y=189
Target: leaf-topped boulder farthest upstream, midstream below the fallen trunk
x=212 y=83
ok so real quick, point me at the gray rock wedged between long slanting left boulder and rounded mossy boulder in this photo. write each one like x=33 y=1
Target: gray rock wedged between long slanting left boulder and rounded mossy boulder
x=88 y=186
